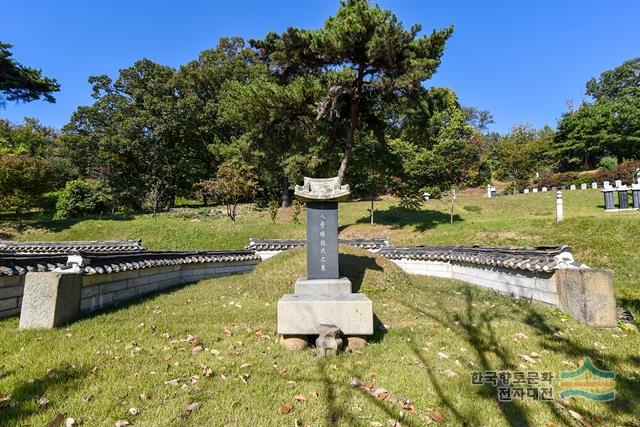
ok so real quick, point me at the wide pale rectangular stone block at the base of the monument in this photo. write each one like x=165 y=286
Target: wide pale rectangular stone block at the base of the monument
x=303 y=314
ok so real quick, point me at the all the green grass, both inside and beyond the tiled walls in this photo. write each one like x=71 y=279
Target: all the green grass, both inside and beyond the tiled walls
x=439 y=331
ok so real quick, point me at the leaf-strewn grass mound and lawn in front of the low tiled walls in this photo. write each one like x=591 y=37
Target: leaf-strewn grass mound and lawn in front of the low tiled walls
x=209 y=352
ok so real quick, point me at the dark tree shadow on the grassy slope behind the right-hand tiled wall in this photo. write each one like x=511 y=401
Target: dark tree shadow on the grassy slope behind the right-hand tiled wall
x=398 y=217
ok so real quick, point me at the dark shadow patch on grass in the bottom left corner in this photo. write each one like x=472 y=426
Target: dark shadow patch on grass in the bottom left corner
x=58 y=381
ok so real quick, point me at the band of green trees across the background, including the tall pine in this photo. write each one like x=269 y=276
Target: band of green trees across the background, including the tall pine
x=246 y=120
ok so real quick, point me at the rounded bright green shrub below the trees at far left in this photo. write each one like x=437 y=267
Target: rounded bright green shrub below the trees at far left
x=82 y=197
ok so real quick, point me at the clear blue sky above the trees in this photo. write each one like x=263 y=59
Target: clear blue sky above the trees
x=521 y=60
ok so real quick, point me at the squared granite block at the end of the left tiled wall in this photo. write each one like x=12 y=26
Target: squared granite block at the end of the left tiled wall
x=50 y=299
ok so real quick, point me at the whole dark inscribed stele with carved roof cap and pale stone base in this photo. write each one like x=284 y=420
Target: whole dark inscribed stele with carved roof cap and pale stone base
x=323 y=303
